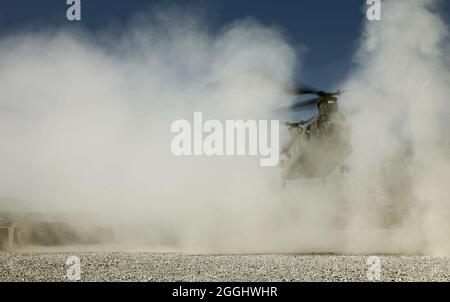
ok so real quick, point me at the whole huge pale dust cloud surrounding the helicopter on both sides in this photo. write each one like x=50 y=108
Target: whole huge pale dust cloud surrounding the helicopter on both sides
x=85 y=128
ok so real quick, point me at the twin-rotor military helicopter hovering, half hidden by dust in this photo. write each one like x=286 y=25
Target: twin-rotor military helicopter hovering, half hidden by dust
x=320 y=144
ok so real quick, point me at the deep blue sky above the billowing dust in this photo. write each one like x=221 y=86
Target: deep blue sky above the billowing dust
x=329 y=29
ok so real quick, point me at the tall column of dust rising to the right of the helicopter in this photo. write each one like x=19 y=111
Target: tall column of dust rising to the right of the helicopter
x=401 y=120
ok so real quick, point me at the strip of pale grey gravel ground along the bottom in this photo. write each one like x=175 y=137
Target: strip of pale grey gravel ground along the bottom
x=137 y=266
